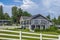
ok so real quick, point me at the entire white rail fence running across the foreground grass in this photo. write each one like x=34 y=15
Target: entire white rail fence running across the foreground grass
x=29 y=33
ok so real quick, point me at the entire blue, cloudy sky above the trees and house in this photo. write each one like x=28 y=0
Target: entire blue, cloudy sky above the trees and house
x=44 y=7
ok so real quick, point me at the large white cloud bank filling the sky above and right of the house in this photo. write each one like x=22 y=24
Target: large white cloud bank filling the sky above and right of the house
x=45 y=7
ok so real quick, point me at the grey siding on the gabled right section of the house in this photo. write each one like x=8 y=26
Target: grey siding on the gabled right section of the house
x=41 y=21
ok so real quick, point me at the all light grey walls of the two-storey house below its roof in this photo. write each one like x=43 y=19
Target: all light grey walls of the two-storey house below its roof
x=40 y=21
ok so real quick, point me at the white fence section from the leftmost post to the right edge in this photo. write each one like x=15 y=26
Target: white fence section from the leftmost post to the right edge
x=41 y=36
